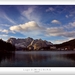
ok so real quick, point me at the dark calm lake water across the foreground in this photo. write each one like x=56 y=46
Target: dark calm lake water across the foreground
x=38 y=59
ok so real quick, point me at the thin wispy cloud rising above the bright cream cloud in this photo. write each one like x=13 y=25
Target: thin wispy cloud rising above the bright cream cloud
x=31 y=14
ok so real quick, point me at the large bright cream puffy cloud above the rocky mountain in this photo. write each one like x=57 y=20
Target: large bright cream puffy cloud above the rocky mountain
x=27 y=27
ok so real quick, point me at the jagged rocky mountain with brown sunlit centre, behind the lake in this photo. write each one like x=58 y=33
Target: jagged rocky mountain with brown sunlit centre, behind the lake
x=29 y=43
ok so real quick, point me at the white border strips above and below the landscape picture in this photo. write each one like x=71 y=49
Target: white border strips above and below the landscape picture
x=37 y=70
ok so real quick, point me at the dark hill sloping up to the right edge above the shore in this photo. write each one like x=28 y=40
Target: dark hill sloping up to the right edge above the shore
x=69 y=45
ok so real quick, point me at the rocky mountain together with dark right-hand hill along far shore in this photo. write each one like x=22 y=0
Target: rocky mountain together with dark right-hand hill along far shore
x=39 y=44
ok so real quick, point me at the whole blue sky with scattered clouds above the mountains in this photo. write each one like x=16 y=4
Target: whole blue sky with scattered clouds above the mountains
x=54 y=23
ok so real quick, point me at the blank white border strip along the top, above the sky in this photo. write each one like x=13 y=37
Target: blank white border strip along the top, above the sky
x=37 y=2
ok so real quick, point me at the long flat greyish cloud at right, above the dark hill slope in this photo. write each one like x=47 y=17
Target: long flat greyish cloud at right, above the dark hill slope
x=59 y=31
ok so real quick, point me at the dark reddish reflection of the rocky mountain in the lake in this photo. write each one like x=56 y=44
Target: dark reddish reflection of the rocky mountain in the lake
x=31 y=59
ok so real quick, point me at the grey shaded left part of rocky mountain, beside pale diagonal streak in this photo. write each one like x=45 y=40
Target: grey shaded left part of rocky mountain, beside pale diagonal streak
x=20 y=42
